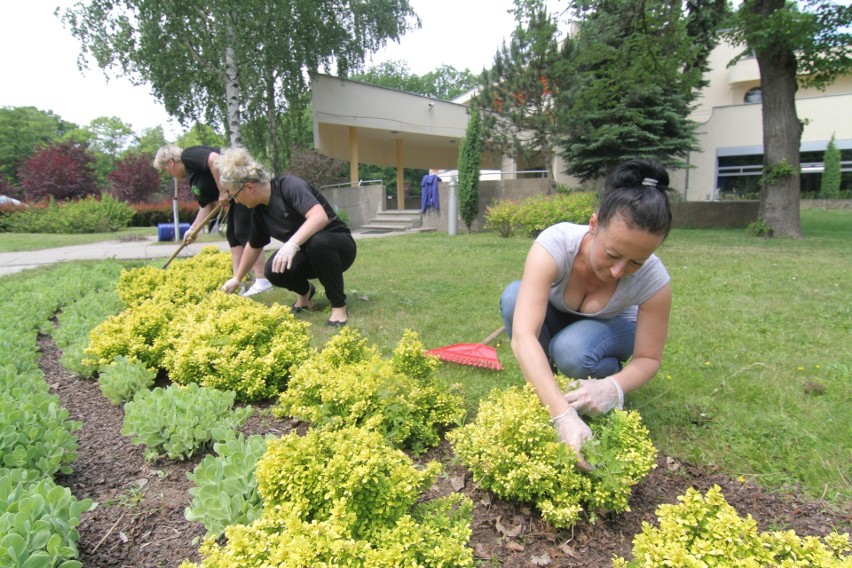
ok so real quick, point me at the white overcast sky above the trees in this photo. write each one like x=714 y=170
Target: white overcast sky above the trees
x=38 y=65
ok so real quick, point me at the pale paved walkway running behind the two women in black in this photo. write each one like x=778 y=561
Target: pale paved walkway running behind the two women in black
x=11 y=262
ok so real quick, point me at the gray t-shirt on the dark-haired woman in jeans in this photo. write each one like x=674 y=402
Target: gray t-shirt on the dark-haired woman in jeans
x=563 y=241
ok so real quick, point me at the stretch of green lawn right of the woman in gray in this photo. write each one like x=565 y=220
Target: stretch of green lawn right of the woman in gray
x=756 y=377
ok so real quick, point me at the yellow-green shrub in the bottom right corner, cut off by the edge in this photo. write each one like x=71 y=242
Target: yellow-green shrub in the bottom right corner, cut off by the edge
x=705 y=531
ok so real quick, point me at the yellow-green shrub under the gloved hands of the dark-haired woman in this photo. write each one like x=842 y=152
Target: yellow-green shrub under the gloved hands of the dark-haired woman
x=511 y=449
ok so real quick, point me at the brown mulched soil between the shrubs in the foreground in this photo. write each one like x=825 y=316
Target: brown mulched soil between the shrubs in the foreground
x=140 y=522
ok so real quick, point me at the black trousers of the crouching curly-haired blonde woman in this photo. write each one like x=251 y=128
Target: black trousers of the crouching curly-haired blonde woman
x=326 y=256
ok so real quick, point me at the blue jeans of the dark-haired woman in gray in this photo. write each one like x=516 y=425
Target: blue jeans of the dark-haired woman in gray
x=577 y=346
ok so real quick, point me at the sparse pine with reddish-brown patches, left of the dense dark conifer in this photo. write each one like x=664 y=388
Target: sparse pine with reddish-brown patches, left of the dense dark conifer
x=516 y=94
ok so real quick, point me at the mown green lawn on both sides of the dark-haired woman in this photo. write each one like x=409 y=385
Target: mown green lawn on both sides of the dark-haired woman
x=756 y=378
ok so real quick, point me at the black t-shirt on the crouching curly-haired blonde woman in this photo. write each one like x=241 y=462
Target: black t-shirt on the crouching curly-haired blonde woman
x=291 y=199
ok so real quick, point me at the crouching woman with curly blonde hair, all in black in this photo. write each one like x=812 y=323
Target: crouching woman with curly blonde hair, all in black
x=317 y=244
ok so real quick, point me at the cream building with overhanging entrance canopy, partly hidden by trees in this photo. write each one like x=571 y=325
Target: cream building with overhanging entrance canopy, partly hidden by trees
x=358 y=122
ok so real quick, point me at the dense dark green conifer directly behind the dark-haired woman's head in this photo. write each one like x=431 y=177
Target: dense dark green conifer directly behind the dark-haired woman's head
x=635 y=69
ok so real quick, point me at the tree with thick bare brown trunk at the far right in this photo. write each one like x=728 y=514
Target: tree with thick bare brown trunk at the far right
x=793 y=46
